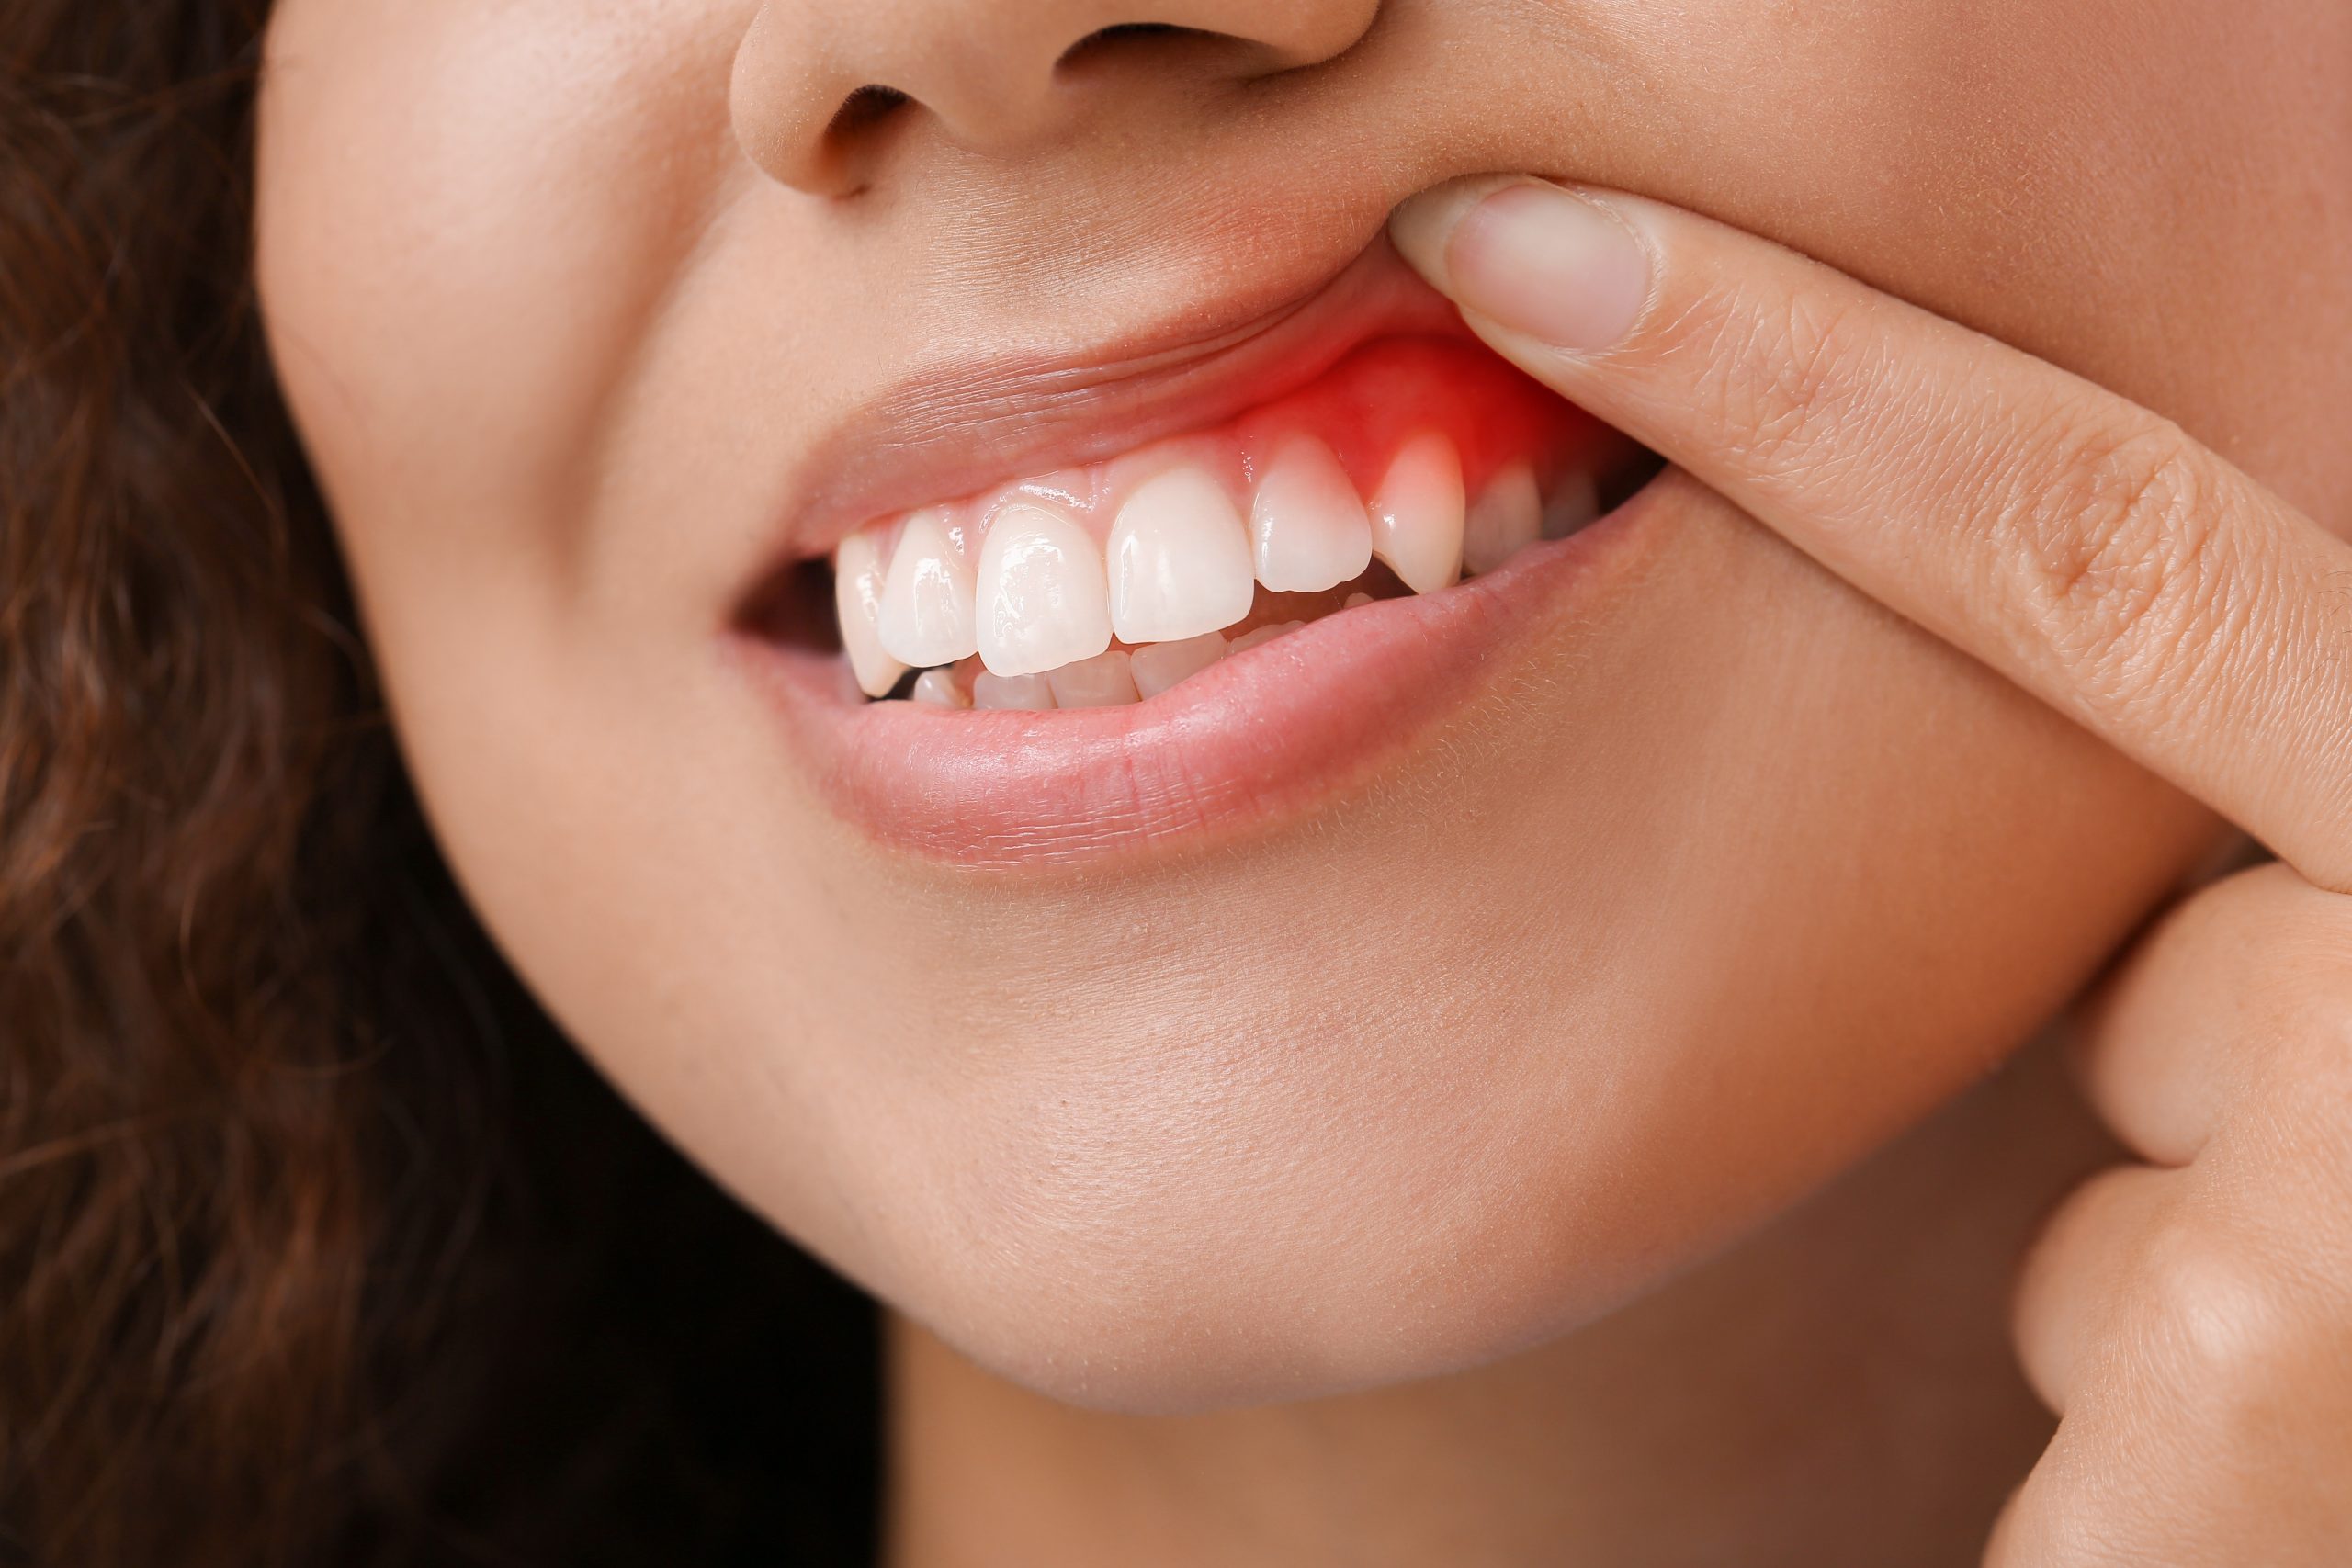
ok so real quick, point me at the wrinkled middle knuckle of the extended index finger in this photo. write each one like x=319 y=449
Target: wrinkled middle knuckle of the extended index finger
x=2118 y=554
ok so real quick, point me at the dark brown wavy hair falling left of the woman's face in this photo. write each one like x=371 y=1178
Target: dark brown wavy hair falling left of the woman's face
x=316 y=1242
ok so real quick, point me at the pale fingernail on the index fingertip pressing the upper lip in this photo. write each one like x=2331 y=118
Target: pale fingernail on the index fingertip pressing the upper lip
x=1535 y=257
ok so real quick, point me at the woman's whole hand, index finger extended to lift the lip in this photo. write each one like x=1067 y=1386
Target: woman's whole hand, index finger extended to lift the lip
x=2189 y=1318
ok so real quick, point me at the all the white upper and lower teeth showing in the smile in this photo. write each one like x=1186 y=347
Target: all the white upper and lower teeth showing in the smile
x=1041 y=603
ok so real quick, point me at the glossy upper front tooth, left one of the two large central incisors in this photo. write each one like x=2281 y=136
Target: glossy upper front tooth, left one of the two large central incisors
x=1041 y=594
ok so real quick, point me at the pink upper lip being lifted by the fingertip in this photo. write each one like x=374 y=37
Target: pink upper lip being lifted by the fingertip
x=954 y=429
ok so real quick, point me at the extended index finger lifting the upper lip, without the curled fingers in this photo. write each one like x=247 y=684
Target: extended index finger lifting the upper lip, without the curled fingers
x=2071 y=540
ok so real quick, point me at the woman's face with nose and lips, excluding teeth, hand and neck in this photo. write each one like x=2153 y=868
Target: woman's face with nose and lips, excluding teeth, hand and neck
x=1434 y=981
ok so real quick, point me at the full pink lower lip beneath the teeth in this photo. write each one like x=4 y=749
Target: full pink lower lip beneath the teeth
x=1241 y=749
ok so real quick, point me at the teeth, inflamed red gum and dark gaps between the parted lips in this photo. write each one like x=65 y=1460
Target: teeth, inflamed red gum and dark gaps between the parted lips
x=1410 y=464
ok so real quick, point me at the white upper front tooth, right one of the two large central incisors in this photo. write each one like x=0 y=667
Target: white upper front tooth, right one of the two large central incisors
x=1180 y=561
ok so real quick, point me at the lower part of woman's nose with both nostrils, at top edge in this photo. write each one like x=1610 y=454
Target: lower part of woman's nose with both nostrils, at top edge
x=820 y=83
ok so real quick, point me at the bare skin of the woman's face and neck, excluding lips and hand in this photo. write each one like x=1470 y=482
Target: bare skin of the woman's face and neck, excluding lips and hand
x=566 y=300
